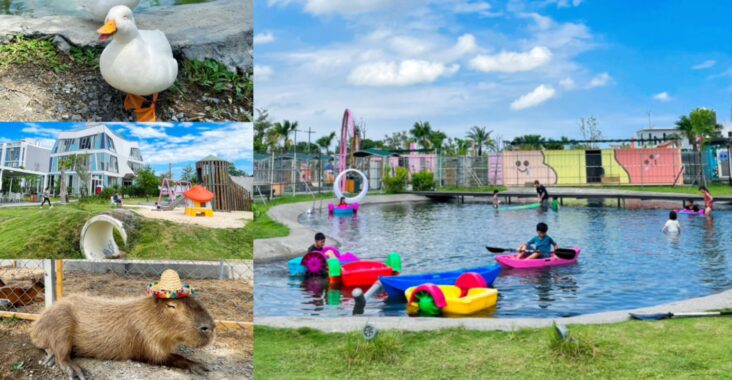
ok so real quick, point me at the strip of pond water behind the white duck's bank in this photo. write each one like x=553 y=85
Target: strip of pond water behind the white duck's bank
x=40 y=8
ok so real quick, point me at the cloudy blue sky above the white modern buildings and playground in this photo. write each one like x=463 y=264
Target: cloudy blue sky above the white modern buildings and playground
x=179 y=144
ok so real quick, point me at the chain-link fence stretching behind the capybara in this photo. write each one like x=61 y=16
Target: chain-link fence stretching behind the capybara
x=29 y=286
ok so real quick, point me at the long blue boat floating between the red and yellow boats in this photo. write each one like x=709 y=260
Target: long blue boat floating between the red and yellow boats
x=396 y=285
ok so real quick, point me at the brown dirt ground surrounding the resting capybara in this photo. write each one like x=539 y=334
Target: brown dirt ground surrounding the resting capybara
x=229 y=357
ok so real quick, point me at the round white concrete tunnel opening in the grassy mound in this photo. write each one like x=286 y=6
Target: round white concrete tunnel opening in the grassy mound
x=97 y=237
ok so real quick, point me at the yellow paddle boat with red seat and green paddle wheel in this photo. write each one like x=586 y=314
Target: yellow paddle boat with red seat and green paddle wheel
x=469 y=295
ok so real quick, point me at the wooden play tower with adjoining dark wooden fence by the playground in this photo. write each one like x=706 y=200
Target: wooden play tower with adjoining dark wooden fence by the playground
x=213 y=174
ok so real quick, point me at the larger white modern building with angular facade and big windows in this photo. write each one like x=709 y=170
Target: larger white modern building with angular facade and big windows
x=110 y=159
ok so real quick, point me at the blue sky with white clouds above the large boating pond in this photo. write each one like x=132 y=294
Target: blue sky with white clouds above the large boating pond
x=516 y=67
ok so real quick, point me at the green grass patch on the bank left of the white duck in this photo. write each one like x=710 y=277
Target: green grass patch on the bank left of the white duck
x=31 y=51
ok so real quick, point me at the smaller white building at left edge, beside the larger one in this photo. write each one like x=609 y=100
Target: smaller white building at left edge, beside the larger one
x=23 y=167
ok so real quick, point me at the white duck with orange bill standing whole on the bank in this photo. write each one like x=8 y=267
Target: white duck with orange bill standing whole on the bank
x=138 y=62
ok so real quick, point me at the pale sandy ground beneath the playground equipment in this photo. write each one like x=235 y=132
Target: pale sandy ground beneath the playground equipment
x=233 y=219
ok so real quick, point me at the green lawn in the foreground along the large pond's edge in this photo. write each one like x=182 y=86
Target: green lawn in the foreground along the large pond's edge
x=692 y=348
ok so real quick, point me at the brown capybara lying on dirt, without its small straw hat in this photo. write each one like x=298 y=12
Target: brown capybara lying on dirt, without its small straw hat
x=144 y=329
